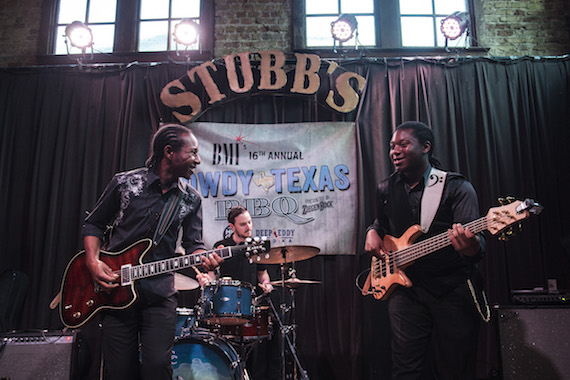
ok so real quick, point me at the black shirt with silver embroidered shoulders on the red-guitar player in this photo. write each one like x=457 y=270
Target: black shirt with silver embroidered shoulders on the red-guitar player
x=131 y=205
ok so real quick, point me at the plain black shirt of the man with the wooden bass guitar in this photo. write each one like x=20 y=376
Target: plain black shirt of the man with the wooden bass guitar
x=398 y=208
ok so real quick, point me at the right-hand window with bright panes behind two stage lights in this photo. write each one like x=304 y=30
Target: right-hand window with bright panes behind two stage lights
x=381 y=24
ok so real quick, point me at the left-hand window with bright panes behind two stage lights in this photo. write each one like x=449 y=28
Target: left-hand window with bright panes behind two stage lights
x=127 y=26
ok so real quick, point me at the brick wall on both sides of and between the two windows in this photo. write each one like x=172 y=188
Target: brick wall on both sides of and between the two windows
x=507 y=27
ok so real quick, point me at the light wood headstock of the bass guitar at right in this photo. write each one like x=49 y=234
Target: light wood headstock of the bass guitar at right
x=511 y=212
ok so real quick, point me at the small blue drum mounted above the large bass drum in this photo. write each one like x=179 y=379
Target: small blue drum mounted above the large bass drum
x=227 y=302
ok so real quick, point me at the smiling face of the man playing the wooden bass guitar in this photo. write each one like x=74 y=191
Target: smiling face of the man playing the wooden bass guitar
x=407 y=154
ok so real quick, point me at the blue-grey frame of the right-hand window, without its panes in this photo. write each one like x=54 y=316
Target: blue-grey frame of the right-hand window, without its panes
x=388 y=32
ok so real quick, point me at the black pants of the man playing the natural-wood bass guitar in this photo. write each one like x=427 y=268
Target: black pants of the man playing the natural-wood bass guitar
x=433 y=338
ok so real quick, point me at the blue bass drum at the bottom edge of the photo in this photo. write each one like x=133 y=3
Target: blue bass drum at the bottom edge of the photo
x=203 y=355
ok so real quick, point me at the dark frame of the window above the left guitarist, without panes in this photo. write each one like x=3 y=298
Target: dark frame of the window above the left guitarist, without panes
x=126 y=37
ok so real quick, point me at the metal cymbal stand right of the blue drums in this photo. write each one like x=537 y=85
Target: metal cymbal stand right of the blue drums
x=285 y=329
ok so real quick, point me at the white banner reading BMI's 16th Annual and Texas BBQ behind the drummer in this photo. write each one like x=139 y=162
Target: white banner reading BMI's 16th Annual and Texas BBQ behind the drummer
x=298 y=181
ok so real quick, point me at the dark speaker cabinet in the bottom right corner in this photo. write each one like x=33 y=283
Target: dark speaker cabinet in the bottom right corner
x=535 y=342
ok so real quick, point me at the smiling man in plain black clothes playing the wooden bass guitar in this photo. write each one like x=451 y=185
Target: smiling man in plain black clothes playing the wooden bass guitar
x=434 y=319
